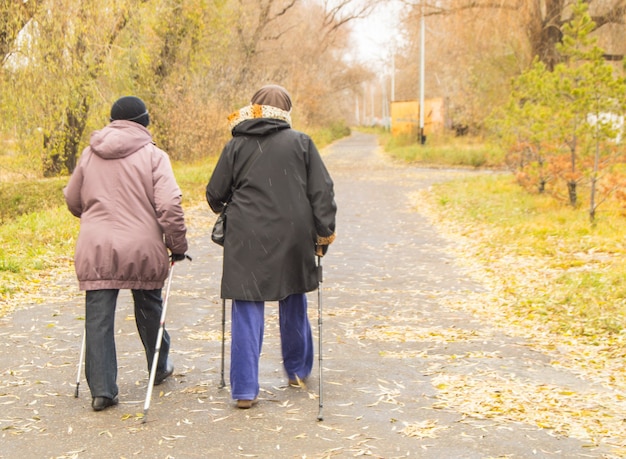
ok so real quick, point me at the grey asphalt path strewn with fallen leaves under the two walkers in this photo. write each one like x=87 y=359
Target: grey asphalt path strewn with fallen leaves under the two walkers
x=392 y=351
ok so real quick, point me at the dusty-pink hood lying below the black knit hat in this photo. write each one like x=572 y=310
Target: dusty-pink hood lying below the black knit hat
x=119 y=139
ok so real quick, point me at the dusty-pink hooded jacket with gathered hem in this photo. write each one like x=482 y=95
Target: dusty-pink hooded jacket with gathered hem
x=129 y=205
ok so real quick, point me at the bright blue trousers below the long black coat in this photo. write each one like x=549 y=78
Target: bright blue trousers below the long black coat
x=247 y=341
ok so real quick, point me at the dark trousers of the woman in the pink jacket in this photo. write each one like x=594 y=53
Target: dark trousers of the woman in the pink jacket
x=100 y=353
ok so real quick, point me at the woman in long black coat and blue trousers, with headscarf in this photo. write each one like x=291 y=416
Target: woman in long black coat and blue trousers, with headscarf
x=280 y=214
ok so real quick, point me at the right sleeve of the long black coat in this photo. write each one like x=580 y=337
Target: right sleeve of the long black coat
x=320 y=190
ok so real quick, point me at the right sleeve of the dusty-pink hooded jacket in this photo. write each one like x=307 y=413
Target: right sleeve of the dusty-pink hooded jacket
x=167 y=201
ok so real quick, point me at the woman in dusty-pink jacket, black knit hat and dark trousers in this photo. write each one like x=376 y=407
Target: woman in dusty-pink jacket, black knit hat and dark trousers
x=129 y=205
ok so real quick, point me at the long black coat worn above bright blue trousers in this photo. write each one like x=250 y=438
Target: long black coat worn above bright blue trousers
x=285 y=201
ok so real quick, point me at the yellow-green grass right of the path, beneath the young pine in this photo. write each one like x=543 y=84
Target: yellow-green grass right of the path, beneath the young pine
x=556 y=267
